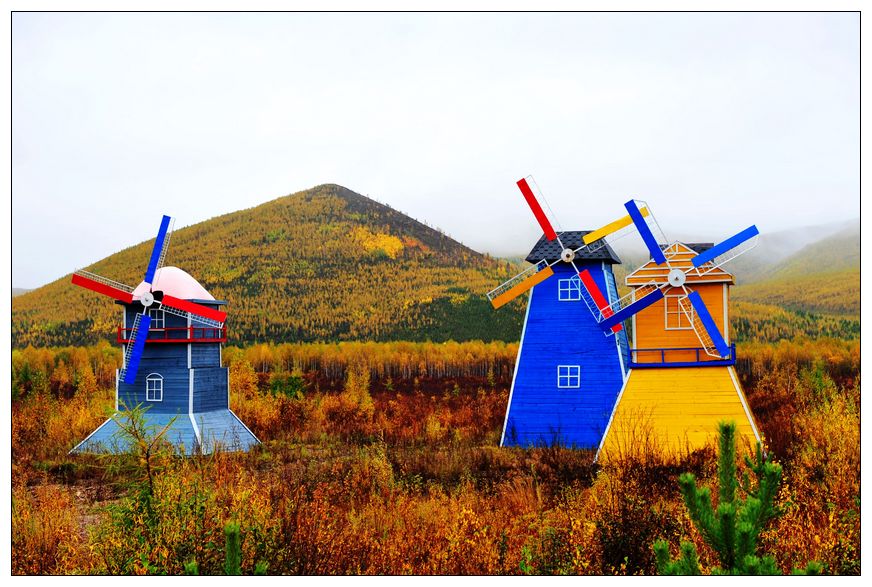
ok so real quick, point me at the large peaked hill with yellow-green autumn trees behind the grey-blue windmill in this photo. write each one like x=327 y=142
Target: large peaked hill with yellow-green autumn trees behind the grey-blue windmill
x=320 y=265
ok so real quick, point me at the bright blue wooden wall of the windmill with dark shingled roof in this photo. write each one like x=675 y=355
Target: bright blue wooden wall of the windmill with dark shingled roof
x=564 y=333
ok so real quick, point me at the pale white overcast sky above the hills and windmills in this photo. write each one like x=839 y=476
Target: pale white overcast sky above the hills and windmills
x=717 y=120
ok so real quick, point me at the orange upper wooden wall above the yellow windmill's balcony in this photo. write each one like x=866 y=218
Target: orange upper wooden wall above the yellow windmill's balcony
x=651 y=330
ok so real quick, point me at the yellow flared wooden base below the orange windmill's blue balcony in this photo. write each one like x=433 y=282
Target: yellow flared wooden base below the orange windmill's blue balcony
x=676 y=410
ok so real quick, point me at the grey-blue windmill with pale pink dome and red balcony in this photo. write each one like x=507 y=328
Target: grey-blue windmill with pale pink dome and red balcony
x=172 y=359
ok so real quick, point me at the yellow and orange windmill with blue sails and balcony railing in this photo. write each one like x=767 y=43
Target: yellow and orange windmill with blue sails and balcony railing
x=679 y=384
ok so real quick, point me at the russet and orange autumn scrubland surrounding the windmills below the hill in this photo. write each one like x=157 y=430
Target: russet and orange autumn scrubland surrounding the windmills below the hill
x=383 y=458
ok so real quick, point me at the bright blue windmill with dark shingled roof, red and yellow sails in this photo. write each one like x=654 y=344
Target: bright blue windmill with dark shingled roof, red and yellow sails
x=567 y=375
